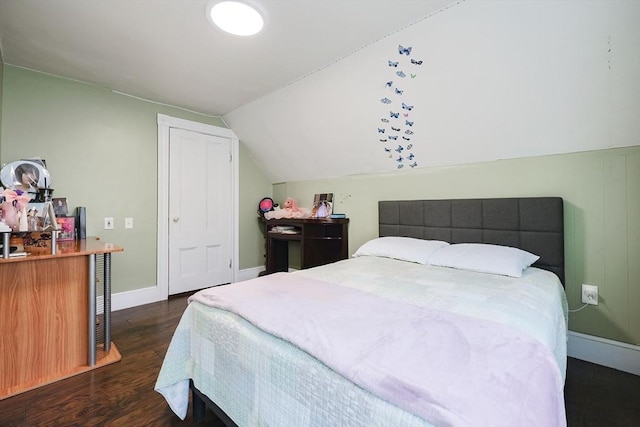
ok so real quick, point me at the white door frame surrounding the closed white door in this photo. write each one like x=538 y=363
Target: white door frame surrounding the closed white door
x=165 y=123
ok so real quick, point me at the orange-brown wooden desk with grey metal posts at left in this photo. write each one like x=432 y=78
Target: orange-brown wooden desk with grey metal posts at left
x=48 y=315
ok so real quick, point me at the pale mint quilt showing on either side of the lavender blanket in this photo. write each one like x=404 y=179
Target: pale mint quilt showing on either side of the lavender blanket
x=261 y=379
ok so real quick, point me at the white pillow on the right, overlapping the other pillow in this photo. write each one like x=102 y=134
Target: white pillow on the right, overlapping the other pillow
x=484 y=258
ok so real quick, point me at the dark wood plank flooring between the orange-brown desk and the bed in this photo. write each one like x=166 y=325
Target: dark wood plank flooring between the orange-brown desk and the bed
x=116 y=395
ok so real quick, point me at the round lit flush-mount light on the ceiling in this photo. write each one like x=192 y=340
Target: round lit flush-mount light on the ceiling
x=236 y=18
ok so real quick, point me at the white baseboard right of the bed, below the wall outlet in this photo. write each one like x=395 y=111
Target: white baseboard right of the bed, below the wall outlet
x=602 y=351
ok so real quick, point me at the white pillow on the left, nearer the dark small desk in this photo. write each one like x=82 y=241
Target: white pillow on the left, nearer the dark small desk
x=402 y=248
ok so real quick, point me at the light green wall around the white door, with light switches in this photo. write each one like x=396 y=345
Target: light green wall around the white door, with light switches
x=101 y=151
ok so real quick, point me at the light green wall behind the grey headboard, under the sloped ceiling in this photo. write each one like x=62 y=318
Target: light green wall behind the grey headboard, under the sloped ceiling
x=601 y=192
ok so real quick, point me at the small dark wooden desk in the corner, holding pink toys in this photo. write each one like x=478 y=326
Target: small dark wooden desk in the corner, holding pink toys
x=322 y=241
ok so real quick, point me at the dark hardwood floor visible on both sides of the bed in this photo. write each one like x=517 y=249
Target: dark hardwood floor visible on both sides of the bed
x=122 y=394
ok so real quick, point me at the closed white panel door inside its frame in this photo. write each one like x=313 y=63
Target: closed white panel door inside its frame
x=199 y=222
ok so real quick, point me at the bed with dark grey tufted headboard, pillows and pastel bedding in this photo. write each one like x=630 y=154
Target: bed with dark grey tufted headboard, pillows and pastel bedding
x=427 y=325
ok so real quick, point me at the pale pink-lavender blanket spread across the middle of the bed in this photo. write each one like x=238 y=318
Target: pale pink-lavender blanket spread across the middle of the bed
x=446 y=368
